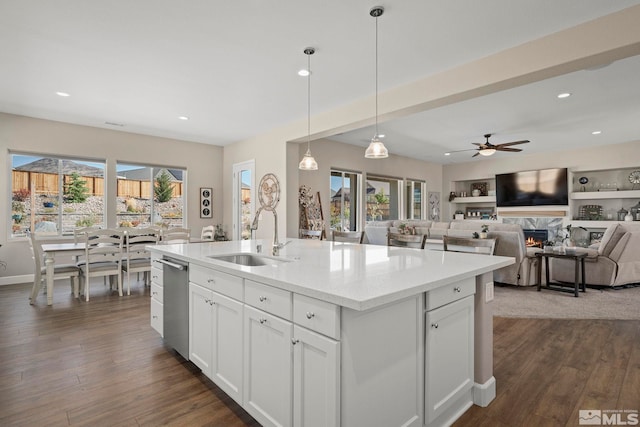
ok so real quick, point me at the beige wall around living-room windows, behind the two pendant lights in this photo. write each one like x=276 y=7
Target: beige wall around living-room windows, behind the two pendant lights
x=335 y=155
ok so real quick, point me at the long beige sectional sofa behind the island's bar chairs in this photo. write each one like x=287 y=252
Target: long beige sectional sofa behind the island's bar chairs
x=510 y=242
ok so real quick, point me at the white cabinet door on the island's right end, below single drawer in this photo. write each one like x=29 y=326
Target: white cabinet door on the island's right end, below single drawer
x=449 y=355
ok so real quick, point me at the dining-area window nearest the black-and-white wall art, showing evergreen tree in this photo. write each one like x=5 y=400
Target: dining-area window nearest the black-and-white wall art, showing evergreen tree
x=149 y=195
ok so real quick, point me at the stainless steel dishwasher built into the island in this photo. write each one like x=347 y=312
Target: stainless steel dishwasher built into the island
x=176 y=304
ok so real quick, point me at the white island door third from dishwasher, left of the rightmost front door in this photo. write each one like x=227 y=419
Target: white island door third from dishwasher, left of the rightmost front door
x=267 y=367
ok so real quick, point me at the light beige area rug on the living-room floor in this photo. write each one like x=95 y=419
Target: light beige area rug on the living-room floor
x=521 y=301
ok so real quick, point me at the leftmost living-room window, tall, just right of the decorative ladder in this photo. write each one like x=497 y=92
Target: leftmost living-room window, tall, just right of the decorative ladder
x=345 y=206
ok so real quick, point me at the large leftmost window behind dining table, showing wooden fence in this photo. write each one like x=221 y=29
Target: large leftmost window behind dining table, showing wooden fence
x=55 y=195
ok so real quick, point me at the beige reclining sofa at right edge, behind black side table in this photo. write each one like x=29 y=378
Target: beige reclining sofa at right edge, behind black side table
x=615 y=262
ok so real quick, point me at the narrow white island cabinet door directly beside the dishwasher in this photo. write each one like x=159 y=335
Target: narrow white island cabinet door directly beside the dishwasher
x=200 y=324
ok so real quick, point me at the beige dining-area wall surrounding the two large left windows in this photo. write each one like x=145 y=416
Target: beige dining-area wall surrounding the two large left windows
x=203 y=164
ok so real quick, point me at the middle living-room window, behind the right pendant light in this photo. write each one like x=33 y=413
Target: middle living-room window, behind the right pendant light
x=383 y=198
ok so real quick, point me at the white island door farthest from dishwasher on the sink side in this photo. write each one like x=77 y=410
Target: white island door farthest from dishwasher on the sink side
x=316 y=379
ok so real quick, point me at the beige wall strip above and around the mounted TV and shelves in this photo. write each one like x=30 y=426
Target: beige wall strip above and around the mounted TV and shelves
x=606 y=157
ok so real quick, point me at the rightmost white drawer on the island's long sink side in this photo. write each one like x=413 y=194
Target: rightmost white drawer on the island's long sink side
x=319 y=316
